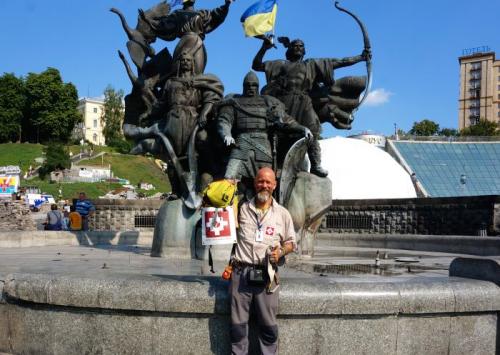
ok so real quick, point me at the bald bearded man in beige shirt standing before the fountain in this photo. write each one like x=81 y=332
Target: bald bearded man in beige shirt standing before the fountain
x=265 y=235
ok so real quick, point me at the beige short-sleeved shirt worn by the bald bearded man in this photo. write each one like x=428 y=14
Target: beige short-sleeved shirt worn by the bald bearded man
x=277 y=229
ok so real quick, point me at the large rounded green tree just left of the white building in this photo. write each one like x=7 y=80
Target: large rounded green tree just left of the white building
x=51 y=110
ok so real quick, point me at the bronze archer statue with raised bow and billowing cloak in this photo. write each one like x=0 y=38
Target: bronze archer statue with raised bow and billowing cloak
x=308 y=89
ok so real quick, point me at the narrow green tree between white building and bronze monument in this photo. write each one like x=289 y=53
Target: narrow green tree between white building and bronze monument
x=112 y=117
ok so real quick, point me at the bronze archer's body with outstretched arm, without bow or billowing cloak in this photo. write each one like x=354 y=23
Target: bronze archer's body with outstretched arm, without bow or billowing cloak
x=294 y=81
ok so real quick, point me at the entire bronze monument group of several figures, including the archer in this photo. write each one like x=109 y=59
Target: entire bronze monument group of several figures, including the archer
x=171 y=109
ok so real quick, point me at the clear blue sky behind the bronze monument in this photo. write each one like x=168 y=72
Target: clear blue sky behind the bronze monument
x=415 y=47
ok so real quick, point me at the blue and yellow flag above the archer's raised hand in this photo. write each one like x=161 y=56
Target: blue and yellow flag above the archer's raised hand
x=260 y=17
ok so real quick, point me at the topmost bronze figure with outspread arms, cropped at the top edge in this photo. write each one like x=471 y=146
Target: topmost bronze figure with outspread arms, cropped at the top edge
x=191 y=26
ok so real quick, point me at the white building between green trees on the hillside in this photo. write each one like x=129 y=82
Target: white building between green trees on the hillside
x=91 y=128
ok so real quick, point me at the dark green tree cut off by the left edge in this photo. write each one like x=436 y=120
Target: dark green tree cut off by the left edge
x=12 y=102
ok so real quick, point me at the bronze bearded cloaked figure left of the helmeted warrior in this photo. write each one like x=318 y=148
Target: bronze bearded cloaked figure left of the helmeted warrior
x=185 y=105
